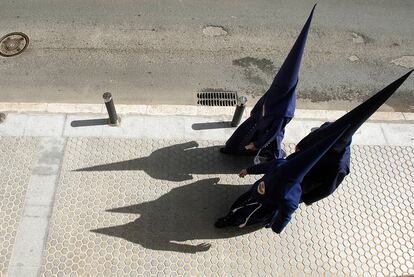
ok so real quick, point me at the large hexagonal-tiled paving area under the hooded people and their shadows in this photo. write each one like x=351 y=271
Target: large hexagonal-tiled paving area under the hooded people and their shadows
x=147 y=208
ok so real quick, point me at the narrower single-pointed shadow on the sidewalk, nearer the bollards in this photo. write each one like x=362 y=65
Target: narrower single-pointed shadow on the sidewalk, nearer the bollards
x=178 y=162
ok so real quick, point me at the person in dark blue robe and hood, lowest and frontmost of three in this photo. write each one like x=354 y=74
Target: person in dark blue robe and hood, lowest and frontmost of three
x=273 y=199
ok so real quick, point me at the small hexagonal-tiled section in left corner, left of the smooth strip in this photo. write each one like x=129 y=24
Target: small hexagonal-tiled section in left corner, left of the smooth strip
x=16 y=157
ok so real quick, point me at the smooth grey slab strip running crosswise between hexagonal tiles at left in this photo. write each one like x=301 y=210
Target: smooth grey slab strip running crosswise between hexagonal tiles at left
x=33 y=224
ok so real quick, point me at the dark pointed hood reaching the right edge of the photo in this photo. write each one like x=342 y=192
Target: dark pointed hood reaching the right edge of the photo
x=354 y=118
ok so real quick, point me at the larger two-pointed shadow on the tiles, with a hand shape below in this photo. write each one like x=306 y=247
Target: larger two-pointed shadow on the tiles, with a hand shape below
x=185 y=213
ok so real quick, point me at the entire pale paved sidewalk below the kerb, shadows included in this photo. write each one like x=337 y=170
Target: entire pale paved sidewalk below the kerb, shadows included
x=141 y=199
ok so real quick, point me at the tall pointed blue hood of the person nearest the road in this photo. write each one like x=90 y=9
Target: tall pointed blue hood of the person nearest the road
x=280 y=98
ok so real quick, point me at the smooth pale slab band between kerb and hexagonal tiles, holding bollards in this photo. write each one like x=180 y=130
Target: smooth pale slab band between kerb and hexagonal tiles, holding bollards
x=182 y=127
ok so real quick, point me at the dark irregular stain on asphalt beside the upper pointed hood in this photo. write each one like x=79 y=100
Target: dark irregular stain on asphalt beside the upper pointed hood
x=256 y=70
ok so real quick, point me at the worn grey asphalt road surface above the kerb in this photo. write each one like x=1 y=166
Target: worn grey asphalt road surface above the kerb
x=163 y=51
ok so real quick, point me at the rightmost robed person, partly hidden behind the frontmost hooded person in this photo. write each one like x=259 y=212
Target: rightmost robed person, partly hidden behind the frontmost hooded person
x=328 y=173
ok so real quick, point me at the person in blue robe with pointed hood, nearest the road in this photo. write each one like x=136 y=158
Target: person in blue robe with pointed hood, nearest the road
x=268 y=118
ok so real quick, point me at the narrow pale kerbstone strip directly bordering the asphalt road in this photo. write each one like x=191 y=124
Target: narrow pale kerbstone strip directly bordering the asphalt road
x=187 y=110
